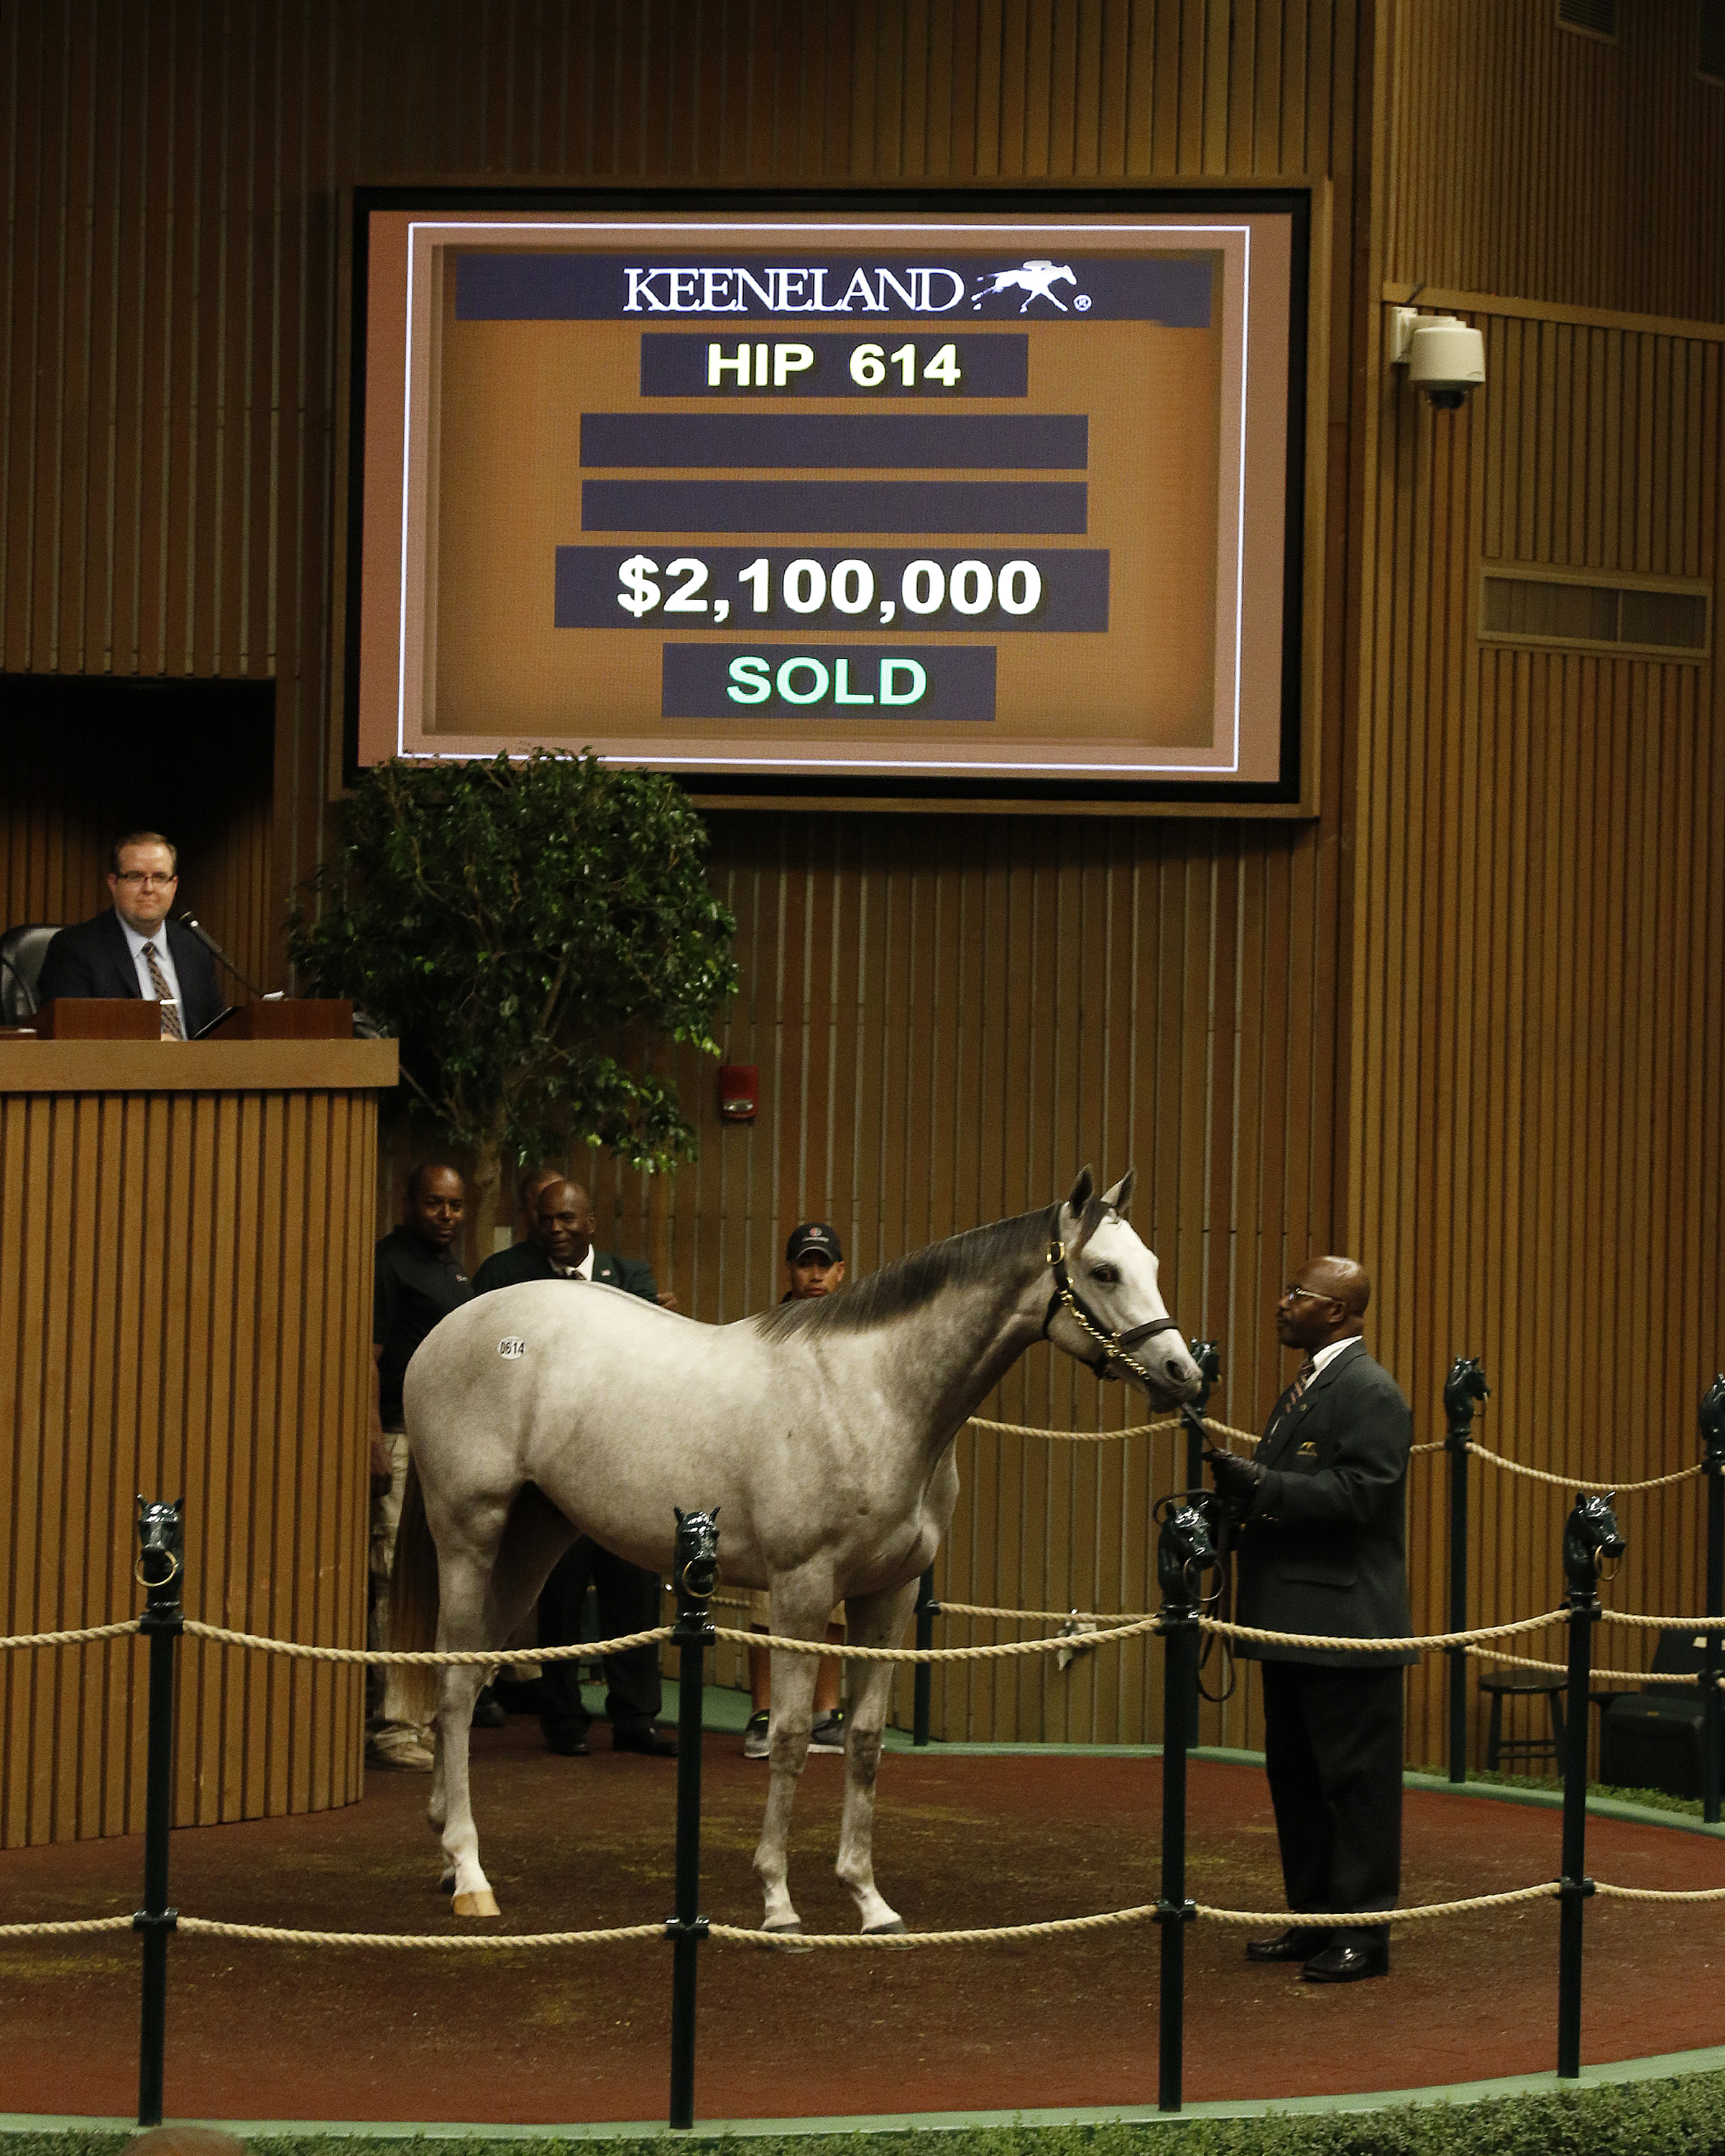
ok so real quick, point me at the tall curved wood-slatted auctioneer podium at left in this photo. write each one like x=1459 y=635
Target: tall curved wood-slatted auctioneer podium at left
x=187 y=1239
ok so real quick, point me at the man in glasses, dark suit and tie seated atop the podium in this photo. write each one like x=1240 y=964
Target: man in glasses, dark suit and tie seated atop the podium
x=135 y=950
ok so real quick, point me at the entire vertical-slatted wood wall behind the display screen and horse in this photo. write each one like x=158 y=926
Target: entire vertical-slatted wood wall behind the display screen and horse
x=1303 y=1036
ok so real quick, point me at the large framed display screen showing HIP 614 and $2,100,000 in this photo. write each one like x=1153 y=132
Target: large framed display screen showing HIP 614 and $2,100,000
x=803 y=501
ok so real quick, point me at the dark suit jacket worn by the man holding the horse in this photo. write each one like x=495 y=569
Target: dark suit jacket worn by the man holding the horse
x=1325 y=1545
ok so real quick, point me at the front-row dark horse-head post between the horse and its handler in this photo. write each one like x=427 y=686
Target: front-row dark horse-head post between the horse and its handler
x=1185 y=1549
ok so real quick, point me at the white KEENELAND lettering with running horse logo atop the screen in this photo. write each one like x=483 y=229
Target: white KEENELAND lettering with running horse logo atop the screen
x=823 y=290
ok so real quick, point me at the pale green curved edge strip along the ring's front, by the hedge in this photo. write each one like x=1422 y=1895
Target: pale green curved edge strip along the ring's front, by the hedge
x=1668 y=2067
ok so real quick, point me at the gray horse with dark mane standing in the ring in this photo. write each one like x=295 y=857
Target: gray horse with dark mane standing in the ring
x=823 y=1437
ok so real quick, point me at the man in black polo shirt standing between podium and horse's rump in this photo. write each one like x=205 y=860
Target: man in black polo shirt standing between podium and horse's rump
x=417 y=1284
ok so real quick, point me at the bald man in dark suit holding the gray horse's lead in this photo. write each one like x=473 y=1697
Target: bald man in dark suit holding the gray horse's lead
x=1323 y=1551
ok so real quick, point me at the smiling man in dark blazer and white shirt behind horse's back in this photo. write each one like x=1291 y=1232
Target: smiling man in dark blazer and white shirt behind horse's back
x=560 y=1247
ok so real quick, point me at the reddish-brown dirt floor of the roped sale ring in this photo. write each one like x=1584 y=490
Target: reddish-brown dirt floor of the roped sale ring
x=963 y=1840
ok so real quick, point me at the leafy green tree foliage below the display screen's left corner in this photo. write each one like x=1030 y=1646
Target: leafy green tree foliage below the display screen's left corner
x=506 y=922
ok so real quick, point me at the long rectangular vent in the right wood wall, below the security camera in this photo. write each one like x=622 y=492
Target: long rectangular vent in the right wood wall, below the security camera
x=1657 y=618
